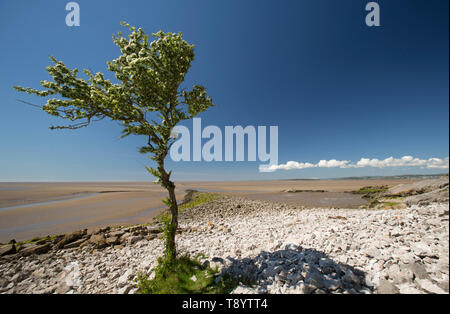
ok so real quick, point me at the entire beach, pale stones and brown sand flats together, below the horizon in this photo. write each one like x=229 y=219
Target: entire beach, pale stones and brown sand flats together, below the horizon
x=275 y=235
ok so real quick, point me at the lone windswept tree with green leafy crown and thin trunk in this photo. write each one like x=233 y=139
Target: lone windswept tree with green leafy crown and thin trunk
x=148 y=100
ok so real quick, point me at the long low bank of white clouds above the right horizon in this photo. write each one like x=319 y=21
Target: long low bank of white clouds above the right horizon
x=405 y=161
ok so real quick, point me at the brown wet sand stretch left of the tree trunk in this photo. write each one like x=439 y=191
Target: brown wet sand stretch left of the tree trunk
x=39 y=209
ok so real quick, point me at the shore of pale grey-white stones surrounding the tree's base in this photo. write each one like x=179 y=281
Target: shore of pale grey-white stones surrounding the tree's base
x=286 y=249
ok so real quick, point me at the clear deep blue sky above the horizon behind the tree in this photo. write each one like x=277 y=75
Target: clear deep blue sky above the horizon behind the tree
x=336 y=88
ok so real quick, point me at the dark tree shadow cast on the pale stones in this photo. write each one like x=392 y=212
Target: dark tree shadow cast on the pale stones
x=294 y=270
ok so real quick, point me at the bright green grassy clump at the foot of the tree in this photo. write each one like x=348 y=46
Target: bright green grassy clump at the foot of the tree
x=187 y=276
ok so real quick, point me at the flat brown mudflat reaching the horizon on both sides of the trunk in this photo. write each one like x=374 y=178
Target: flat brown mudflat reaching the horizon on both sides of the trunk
x=37 y=209
